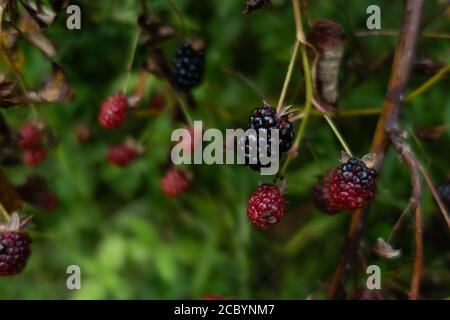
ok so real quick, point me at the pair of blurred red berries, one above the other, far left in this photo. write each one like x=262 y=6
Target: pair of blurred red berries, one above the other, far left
x=30 y=139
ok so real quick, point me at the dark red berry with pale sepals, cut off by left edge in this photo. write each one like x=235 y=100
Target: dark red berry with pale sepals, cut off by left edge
x=15 y=247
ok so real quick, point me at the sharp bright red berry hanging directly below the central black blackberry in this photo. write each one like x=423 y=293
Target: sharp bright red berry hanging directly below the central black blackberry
x=266 y=206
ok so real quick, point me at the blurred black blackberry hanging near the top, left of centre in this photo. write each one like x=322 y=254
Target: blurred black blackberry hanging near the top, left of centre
x=189 y=66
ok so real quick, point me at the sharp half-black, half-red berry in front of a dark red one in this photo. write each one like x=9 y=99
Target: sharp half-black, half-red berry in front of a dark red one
x=351 y=185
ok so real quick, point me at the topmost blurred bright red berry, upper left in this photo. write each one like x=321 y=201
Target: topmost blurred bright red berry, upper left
x=113 y=111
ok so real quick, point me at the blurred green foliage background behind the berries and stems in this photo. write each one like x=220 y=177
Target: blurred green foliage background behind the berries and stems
x=132 y=242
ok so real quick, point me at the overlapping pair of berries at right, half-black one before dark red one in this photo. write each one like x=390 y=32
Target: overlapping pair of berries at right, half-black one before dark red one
x=347 y=187
